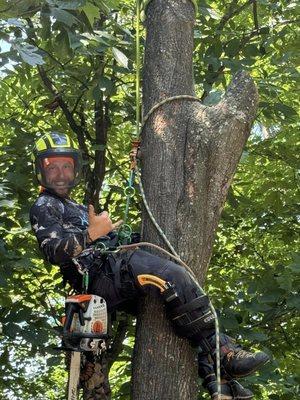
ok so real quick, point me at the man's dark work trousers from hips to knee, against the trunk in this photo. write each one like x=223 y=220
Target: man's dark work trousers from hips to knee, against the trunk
x=108 y=281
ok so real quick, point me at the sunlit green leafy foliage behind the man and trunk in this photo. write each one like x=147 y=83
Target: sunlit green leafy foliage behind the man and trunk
x=86 y=49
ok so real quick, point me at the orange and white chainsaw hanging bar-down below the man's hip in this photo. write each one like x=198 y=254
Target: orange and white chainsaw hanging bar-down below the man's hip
x=84 y=329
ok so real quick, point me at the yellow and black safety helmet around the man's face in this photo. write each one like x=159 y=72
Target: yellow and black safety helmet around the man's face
x=53 y=145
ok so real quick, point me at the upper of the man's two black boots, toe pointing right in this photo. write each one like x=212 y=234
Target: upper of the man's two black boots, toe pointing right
x=236 y=362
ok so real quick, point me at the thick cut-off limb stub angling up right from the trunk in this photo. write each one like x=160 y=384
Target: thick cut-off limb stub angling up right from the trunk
x=215 y=143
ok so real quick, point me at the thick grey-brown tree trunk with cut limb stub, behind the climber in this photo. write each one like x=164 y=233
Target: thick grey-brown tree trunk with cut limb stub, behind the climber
x=189 y=155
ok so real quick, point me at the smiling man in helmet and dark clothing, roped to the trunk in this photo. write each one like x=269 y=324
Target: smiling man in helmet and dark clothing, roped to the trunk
x=65 y=228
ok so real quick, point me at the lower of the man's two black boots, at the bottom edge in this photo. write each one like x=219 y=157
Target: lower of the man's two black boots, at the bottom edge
x=230 y=390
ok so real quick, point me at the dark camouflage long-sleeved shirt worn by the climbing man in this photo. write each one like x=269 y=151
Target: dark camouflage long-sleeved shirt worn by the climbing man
x=60 y=225
